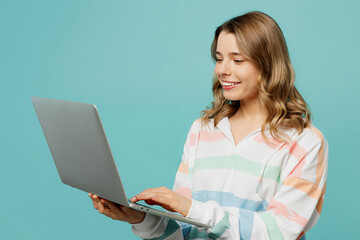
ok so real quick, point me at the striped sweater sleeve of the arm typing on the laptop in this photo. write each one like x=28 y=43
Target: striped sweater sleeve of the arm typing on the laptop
x=293 y=210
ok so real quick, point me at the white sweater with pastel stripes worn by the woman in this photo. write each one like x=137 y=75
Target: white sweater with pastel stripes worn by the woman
x=253 y=190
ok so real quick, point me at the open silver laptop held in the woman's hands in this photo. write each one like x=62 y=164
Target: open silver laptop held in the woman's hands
x=82 y=154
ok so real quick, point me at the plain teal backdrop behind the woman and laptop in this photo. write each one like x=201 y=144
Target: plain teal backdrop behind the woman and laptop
x=147 y=66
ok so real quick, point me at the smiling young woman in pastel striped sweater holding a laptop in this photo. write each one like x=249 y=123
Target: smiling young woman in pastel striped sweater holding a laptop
x=253 y=166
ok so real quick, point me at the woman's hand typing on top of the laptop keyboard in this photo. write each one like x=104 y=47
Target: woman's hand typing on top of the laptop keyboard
x=165 y=198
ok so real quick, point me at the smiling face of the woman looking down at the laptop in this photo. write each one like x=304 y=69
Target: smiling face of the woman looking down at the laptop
x=237 y=75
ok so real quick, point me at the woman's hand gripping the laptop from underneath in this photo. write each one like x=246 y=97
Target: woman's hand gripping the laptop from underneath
x=115 y=211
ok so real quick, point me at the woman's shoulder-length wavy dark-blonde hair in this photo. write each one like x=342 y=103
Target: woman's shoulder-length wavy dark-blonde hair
x=262 y=42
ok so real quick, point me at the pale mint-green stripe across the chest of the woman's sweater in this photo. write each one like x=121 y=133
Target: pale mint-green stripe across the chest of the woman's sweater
x=235 y=162
